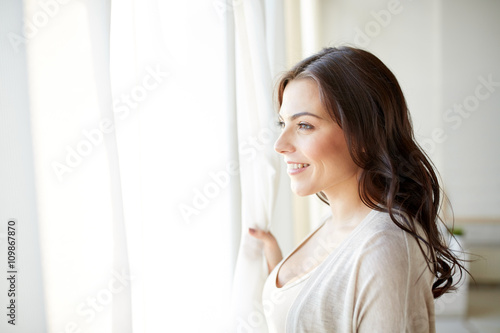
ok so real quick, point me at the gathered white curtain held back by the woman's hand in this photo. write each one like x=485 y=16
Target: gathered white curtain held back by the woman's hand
x=259 y=164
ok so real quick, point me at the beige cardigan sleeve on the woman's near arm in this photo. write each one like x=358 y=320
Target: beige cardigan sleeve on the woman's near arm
x=392 y=292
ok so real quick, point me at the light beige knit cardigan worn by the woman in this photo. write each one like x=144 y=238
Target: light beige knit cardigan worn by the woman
x=377 y=280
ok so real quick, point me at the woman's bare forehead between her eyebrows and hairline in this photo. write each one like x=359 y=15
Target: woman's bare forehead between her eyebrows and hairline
x=301 y=95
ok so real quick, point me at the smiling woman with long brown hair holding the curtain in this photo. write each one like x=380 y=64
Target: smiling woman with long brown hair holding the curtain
x=377 y=262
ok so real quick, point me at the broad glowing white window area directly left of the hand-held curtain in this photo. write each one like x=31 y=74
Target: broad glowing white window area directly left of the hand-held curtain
x=169 y=102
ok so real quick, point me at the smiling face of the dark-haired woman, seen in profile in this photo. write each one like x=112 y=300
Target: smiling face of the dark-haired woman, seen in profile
x=312 y=144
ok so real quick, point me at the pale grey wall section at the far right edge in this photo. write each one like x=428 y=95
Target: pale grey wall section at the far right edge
x=471 y=51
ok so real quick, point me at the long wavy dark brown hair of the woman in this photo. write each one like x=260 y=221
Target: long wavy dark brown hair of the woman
x=363 y=96
